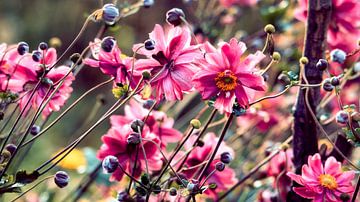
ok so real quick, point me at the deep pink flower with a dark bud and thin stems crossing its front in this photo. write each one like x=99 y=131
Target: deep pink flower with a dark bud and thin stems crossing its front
x=115 y=143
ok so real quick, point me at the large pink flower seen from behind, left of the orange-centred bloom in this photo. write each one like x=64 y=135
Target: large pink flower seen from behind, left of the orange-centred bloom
x=170 y=63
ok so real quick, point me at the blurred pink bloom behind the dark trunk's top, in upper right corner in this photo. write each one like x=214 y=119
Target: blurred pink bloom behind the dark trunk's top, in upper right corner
x=345 y=20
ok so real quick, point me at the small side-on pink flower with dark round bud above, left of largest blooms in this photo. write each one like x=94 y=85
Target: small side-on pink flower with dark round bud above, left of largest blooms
x=112 y=63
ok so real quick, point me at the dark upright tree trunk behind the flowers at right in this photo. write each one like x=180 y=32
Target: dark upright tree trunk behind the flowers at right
x=304 y=128
